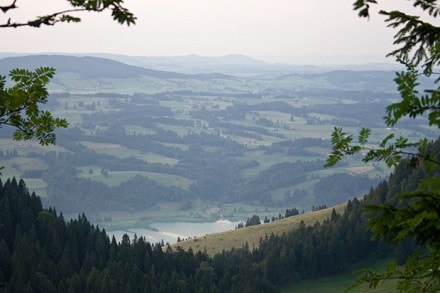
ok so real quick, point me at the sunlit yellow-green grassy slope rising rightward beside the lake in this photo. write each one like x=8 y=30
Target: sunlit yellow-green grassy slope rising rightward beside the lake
x=215 y=243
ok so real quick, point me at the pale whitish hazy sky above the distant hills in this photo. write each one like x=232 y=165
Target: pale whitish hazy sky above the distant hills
x=293 y=31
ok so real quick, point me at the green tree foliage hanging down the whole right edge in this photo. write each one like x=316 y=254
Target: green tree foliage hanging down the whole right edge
x=416 y=214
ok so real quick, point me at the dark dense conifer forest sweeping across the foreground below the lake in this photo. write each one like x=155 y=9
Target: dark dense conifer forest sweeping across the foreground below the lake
x=40 y=251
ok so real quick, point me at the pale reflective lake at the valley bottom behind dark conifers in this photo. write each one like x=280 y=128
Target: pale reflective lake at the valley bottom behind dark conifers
x=170 y=231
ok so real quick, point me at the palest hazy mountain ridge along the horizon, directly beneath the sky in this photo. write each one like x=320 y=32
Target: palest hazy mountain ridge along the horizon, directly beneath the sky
x=232 y=64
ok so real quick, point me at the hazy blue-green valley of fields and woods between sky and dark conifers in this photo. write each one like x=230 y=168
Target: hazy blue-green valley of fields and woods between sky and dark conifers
x=145 y=145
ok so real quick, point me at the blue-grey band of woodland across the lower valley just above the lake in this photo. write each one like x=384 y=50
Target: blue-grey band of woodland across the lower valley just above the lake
x=213 y=177
